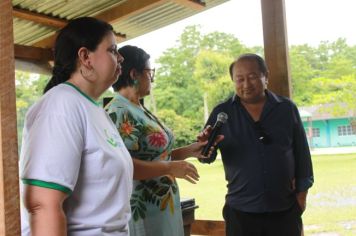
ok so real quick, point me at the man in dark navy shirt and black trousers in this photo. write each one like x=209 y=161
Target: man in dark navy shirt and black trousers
x=265 y=155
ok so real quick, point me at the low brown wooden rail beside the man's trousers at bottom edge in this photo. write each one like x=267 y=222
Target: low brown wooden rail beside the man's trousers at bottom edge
x=208 y=227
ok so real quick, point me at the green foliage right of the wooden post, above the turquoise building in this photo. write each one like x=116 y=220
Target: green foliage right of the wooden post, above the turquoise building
x=325 y=75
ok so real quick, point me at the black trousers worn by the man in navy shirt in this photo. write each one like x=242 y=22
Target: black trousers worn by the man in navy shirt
x=285 y=223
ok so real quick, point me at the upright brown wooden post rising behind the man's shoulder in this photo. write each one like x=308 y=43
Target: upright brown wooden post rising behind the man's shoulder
x=276 y=46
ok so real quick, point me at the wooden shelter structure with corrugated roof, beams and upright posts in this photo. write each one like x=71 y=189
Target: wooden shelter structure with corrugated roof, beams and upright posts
x=27 y=32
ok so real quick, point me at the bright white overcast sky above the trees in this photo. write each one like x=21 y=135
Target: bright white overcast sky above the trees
x=308 y=22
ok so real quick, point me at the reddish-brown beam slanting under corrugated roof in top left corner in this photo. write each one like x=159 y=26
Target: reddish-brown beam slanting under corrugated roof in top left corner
x=39 y=18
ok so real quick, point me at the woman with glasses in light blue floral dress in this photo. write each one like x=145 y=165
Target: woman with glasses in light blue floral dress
x=155 y=202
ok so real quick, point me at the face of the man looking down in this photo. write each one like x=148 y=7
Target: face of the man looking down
x=250 y=82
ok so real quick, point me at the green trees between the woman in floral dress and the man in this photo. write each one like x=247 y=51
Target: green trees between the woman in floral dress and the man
x=192 y=70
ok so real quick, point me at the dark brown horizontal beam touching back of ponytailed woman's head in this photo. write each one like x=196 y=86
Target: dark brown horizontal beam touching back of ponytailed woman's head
x=33 y=53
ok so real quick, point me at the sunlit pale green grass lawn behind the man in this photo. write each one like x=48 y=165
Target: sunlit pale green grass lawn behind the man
x=331 y=201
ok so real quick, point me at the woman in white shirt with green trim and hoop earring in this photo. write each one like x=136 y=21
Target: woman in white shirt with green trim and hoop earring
x=75 y=169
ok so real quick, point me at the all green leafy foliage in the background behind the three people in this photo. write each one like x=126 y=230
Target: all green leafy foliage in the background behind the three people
x=193 y=78
